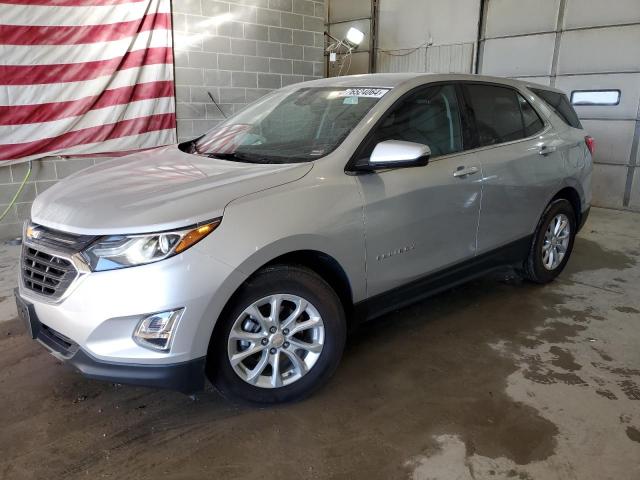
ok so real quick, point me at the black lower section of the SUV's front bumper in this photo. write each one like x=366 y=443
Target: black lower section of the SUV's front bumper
x=186 y=377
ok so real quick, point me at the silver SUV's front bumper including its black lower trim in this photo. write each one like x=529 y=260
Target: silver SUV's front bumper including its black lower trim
x=97 y=316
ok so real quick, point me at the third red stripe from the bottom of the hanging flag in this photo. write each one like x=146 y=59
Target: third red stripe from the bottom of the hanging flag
x=74 y=72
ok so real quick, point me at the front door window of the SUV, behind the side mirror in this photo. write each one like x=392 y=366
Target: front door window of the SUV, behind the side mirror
x=429 y=116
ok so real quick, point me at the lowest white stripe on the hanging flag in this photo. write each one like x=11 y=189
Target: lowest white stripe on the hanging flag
x=94 y=118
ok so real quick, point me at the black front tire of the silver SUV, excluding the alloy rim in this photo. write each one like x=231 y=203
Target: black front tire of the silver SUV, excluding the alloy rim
x=287 y=280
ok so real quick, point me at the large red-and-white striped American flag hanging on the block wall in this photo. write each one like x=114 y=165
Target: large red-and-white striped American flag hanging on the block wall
x=84 y=77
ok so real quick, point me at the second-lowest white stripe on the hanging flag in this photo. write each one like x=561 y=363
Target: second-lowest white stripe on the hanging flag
x=14 y=95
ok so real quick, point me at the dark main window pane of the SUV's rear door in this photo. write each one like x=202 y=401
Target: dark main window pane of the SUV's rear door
x=497 y=113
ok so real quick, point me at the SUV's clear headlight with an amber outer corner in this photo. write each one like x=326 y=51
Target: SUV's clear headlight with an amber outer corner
x=120 y=251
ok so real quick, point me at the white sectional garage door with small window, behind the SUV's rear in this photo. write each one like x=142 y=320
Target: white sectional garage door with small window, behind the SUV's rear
x=578 y=45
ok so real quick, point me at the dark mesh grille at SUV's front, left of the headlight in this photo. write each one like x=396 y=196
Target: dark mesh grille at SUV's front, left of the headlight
x=46 y=274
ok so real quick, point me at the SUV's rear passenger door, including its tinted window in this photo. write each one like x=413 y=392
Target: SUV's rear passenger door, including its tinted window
x=521 y=162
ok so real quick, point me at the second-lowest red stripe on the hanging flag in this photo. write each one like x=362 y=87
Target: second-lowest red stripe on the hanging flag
x=47 y=112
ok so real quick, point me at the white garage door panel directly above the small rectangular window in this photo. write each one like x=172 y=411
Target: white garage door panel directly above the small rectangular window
x=614 y=49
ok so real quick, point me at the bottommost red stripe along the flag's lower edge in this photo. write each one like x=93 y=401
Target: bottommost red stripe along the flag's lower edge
x=101 y=133
